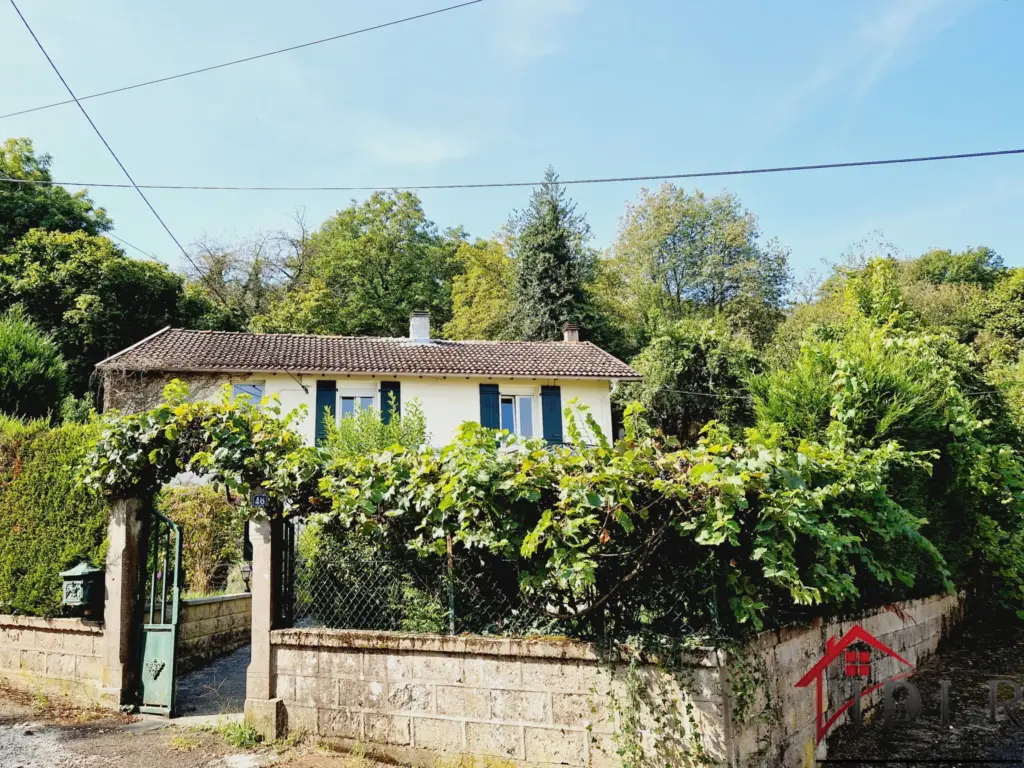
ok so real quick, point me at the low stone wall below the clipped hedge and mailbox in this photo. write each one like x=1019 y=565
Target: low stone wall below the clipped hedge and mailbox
x=54 y=657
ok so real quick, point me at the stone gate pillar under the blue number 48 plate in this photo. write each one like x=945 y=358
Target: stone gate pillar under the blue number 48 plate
x=264 y=710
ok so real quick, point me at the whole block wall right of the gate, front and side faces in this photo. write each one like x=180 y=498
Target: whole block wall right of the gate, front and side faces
x=539 y=703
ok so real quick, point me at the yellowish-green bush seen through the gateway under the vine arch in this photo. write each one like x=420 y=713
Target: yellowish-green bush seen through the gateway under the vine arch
x=212 y=533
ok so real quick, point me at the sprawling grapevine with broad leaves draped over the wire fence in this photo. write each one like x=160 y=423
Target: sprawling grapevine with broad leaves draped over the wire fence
x=642 y=536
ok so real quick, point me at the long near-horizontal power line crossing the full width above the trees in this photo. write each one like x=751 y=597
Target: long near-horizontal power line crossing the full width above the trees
x=496 y=185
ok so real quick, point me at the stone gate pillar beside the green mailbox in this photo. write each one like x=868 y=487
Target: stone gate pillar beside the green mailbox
x=121 y=610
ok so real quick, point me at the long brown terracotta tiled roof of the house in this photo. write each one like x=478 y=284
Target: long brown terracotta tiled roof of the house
x=177 y=350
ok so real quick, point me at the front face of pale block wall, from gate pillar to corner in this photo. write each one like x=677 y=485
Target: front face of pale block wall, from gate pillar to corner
x=529 y=703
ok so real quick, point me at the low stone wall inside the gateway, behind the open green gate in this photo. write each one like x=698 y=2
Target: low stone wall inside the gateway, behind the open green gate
x=212 y=627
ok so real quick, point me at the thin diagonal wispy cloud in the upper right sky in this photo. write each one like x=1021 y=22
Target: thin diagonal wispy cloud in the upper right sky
x=895 y=33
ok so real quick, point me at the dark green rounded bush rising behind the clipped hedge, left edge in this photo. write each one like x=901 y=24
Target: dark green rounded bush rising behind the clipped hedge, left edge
x=33 y=376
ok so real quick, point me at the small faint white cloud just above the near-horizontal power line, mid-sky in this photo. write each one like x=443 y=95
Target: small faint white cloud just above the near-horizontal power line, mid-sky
x=389 y=143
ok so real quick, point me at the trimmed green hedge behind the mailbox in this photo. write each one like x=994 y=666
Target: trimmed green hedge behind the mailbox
x=49 y=522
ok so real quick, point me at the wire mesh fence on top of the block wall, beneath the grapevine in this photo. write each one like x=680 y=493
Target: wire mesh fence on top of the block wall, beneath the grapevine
x=335 y=581
